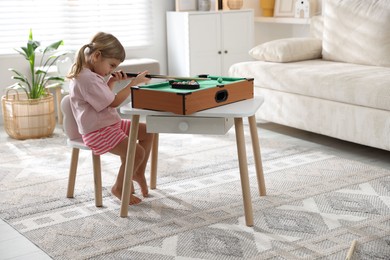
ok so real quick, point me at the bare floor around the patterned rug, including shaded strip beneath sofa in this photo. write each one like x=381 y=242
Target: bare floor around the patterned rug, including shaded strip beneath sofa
x=14 y=246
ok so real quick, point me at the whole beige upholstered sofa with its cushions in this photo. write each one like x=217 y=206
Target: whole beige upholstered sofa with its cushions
x=336 y=83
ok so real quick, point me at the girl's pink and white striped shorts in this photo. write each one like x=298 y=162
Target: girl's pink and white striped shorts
x=105 y=139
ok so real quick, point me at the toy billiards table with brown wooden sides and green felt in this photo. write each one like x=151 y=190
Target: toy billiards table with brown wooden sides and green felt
x=209 y=92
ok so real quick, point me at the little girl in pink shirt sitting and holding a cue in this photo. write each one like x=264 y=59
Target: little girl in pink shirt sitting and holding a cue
x=94 y=106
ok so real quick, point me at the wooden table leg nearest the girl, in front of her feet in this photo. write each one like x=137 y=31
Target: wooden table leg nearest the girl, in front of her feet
x=129 y=169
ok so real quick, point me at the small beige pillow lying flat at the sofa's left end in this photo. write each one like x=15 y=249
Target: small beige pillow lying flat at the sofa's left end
x=288 y=50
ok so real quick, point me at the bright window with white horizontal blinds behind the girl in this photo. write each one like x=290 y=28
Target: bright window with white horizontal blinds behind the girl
x=74 y=21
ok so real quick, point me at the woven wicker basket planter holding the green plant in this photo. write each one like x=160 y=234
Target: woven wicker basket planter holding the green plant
x=28 y=118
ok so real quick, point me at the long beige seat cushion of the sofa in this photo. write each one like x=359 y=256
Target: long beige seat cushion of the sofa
x=336 y=81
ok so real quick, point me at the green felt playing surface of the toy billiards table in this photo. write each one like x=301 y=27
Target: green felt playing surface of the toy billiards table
x=203 y=84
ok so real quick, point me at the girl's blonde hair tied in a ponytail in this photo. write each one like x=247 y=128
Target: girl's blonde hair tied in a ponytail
x=108 y=45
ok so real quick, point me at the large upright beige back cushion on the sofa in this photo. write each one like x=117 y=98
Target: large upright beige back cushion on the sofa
x=357 y=31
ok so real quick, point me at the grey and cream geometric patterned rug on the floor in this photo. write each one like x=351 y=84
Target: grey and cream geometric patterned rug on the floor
x=316 y=203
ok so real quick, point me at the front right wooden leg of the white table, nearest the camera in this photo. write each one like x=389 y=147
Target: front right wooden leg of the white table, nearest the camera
x=243 y=164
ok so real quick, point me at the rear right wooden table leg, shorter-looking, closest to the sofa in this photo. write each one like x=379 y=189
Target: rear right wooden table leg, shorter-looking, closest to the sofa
x=257 y=155
